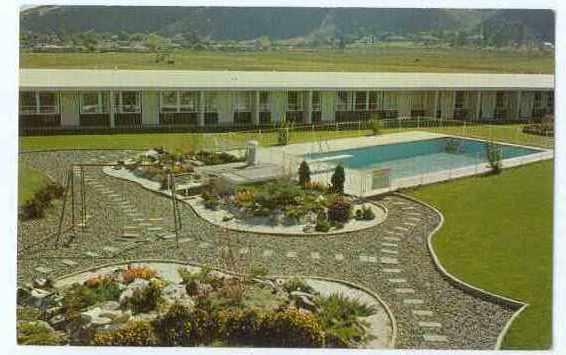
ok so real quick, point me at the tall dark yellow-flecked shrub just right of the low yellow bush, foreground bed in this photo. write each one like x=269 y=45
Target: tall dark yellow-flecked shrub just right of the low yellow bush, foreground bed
x=174 y=327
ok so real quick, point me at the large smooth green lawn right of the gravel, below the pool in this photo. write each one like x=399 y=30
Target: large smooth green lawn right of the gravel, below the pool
x=498 y=236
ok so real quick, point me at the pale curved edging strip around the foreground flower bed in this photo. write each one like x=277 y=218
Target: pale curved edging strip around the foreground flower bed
x=394 y=329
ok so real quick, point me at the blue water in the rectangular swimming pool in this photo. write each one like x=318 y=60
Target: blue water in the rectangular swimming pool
x=420 y=157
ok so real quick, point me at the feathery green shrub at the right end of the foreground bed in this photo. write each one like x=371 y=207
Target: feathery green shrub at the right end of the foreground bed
x=339 y=317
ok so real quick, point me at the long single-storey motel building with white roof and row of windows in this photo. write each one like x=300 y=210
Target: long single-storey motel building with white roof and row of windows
x=77 y=99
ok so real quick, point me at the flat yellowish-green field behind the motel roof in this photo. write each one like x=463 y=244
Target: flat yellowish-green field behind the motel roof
x=381 y=59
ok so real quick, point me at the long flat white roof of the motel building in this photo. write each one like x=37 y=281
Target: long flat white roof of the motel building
x=86 y=79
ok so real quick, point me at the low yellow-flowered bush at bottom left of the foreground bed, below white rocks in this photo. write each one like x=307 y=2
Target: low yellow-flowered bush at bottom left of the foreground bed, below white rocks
x=133 y=333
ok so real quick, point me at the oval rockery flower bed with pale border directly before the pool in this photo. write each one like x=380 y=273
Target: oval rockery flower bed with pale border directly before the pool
x=307 y=208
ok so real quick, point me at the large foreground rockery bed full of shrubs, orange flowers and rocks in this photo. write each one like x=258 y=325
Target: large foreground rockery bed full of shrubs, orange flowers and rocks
x=137 y=306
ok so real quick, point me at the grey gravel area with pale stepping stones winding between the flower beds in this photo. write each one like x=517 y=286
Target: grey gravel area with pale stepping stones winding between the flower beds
x=391 y=259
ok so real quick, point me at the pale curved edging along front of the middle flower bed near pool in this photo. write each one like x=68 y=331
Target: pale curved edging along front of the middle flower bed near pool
x=146 y=185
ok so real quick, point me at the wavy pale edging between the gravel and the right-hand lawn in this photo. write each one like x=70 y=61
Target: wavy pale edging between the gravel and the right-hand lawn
x=466 y=287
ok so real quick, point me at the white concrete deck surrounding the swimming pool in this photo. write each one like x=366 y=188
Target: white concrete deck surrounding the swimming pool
x=358 y=182
